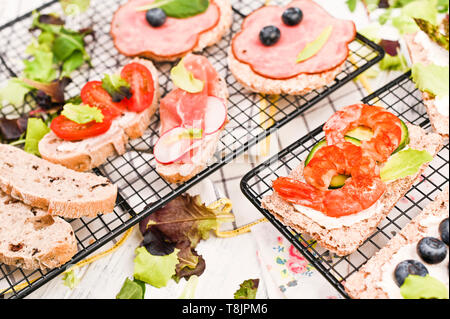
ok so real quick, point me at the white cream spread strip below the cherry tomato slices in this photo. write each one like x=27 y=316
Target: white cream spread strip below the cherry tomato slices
x=117 y=125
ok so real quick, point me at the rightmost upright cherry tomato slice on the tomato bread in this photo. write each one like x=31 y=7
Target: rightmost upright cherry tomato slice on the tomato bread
x=142 y=86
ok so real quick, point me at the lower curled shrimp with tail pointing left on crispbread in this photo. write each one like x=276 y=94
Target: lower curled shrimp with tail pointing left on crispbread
x=361 y=190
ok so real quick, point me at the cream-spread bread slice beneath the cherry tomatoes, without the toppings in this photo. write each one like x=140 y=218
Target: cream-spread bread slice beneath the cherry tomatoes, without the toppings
x=92 y=152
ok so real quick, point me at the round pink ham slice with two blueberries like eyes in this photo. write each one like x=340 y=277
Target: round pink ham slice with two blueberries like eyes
x=279 y=61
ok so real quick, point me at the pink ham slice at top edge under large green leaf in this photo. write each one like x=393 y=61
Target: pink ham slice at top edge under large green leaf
x=133 y=35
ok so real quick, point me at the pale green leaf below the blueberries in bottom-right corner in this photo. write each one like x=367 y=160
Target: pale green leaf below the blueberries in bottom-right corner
x=417 y=287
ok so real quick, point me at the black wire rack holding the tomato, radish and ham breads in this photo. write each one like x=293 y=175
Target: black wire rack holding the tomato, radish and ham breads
x=141 y=189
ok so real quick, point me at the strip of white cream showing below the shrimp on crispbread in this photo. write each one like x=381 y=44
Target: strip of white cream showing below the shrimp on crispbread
x=338 y=222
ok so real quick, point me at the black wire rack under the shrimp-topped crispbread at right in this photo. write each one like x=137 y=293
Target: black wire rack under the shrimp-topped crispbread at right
x=404 y=100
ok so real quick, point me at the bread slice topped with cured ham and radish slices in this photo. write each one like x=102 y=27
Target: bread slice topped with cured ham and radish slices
x=193 y=116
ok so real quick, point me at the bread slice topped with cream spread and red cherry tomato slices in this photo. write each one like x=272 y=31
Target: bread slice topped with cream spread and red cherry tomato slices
x=83 y=146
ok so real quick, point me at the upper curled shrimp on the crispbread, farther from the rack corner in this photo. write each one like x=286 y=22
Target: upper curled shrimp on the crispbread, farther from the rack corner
x=386 y=127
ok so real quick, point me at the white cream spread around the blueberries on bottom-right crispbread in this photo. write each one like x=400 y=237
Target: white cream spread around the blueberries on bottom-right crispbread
x=438 y=271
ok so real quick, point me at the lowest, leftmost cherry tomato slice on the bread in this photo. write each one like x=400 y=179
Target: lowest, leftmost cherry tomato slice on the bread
x=72 y=131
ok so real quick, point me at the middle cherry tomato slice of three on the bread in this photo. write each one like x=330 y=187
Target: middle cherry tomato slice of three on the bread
x=93 y=94
